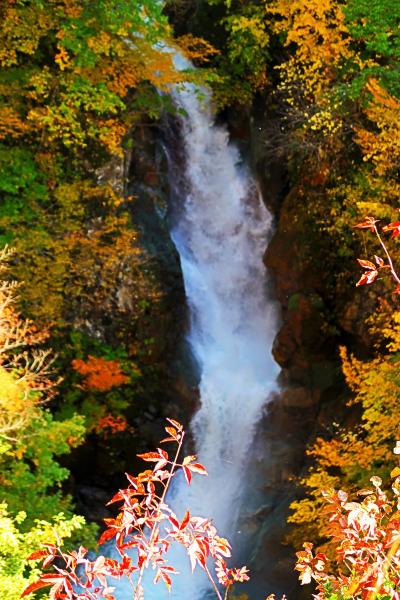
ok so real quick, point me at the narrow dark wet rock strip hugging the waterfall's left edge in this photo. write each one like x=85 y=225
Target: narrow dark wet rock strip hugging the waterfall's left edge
x=152 y=214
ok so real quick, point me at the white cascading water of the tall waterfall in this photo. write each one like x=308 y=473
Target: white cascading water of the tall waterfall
x=221 y=233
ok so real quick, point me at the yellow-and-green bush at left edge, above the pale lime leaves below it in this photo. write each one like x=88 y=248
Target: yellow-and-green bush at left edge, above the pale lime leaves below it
x=31 y=440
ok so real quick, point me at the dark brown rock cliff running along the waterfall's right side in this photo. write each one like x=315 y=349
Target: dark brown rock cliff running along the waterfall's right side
x=319 y=312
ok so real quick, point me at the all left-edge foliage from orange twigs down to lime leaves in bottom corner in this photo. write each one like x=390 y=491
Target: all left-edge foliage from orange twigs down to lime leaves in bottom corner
x=33 y=509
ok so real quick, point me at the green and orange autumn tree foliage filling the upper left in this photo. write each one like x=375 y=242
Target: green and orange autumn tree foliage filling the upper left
x=77 y=80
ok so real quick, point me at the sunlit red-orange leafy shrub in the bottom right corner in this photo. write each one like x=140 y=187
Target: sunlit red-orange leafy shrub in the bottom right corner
x=365 y=536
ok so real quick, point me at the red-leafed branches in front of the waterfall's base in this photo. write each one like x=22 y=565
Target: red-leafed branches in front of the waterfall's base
x=142 y=533
